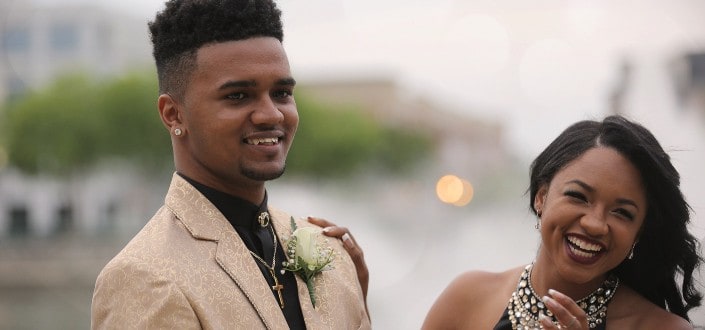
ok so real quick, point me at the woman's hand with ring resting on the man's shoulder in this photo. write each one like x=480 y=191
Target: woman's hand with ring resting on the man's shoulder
x=354 y=250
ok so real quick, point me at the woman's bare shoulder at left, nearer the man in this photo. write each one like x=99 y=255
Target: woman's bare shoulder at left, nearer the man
x=479 y=296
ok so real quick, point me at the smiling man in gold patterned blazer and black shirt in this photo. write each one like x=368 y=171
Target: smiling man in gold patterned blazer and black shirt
x=211 y=257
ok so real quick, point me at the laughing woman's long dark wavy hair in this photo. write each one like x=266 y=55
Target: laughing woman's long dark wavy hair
x=665 y=249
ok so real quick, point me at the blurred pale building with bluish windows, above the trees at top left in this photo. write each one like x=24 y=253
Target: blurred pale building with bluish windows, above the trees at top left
x=37 y=44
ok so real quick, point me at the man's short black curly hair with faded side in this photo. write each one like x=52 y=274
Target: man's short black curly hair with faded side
x=184 y=26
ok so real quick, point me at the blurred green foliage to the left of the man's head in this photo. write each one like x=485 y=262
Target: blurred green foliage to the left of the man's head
x=78 y=121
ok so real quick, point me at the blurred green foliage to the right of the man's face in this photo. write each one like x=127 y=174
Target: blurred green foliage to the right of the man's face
x=337 y=142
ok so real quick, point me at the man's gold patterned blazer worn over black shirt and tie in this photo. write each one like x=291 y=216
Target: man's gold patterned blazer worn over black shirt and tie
x=189 y=269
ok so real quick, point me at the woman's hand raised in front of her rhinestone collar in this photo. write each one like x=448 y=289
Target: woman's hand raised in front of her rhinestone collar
x=566 y=311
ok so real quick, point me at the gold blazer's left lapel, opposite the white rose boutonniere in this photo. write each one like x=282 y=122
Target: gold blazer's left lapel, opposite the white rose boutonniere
x=203 y=220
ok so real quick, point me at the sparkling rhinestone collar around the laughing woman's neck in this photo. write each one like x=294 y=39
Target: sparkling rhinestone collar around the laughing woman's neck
x=525 y=306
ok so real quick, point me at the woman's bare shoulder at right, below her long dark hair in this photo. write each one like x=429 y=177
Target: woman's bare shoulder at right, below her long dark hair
x=636 y=312
